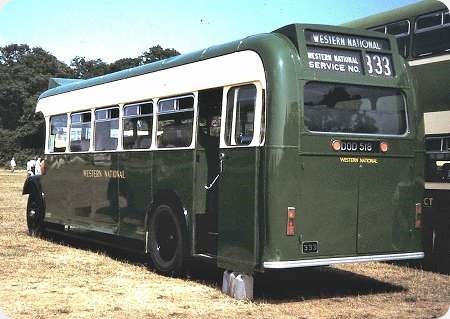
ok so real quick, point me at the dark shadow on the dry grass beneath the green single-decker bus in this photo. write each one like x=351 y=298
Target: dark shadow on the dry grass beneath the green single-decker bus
x=270 y=287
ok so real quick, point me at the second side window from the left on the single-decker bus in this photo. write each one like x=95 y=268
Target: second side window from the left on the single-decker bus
x=80 y=132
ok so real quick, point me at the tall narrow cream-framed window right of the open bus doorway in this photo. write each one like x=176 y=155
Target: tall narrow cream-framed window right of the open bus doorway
x=240 y=115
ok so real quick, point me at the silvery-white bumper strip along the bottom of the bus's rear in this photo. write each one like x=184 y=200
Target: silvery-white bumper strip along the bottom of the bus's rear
x=339 y=260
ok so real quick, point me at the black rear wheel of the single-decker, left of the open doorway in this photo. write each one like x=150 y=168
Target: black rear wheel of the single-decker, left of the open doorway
x=167 y=240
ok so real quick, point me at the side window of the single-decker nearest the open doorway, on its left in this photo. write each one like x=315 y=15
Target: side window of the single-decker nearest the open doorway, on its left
x=175 y=122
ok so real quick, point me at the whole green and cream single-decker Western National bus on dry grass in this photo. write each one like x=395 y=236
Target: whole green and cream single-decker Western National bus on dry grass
x=300 y=147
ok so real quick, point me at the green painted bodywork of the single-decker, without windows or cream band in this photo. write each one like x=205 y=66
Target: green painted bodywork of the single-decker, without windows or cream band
x=349 y=209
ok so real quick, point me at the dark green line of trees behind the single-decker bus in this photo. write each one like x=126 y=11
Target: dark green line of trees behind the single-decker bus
x=24 y=75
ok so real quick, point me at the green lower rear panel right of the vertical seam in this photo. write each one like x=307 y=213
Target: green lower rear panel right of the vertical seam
x=386 y=206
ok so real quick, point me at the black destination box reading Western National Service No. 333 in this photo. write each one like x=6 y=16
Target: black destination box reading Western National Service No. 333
x=356 y=51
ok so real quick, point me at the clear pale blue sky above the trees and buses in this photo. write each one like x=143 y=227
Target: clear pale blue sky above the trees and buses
x=114 y=29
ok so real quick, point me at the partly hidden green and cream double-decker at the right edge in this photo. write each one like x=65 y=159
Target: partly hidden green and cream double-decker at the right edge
x=423 y=35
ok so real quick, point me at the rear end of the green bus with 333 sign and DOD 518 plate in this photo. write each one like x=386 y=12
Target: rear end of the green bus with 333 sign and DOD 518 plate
x=355 y=180
